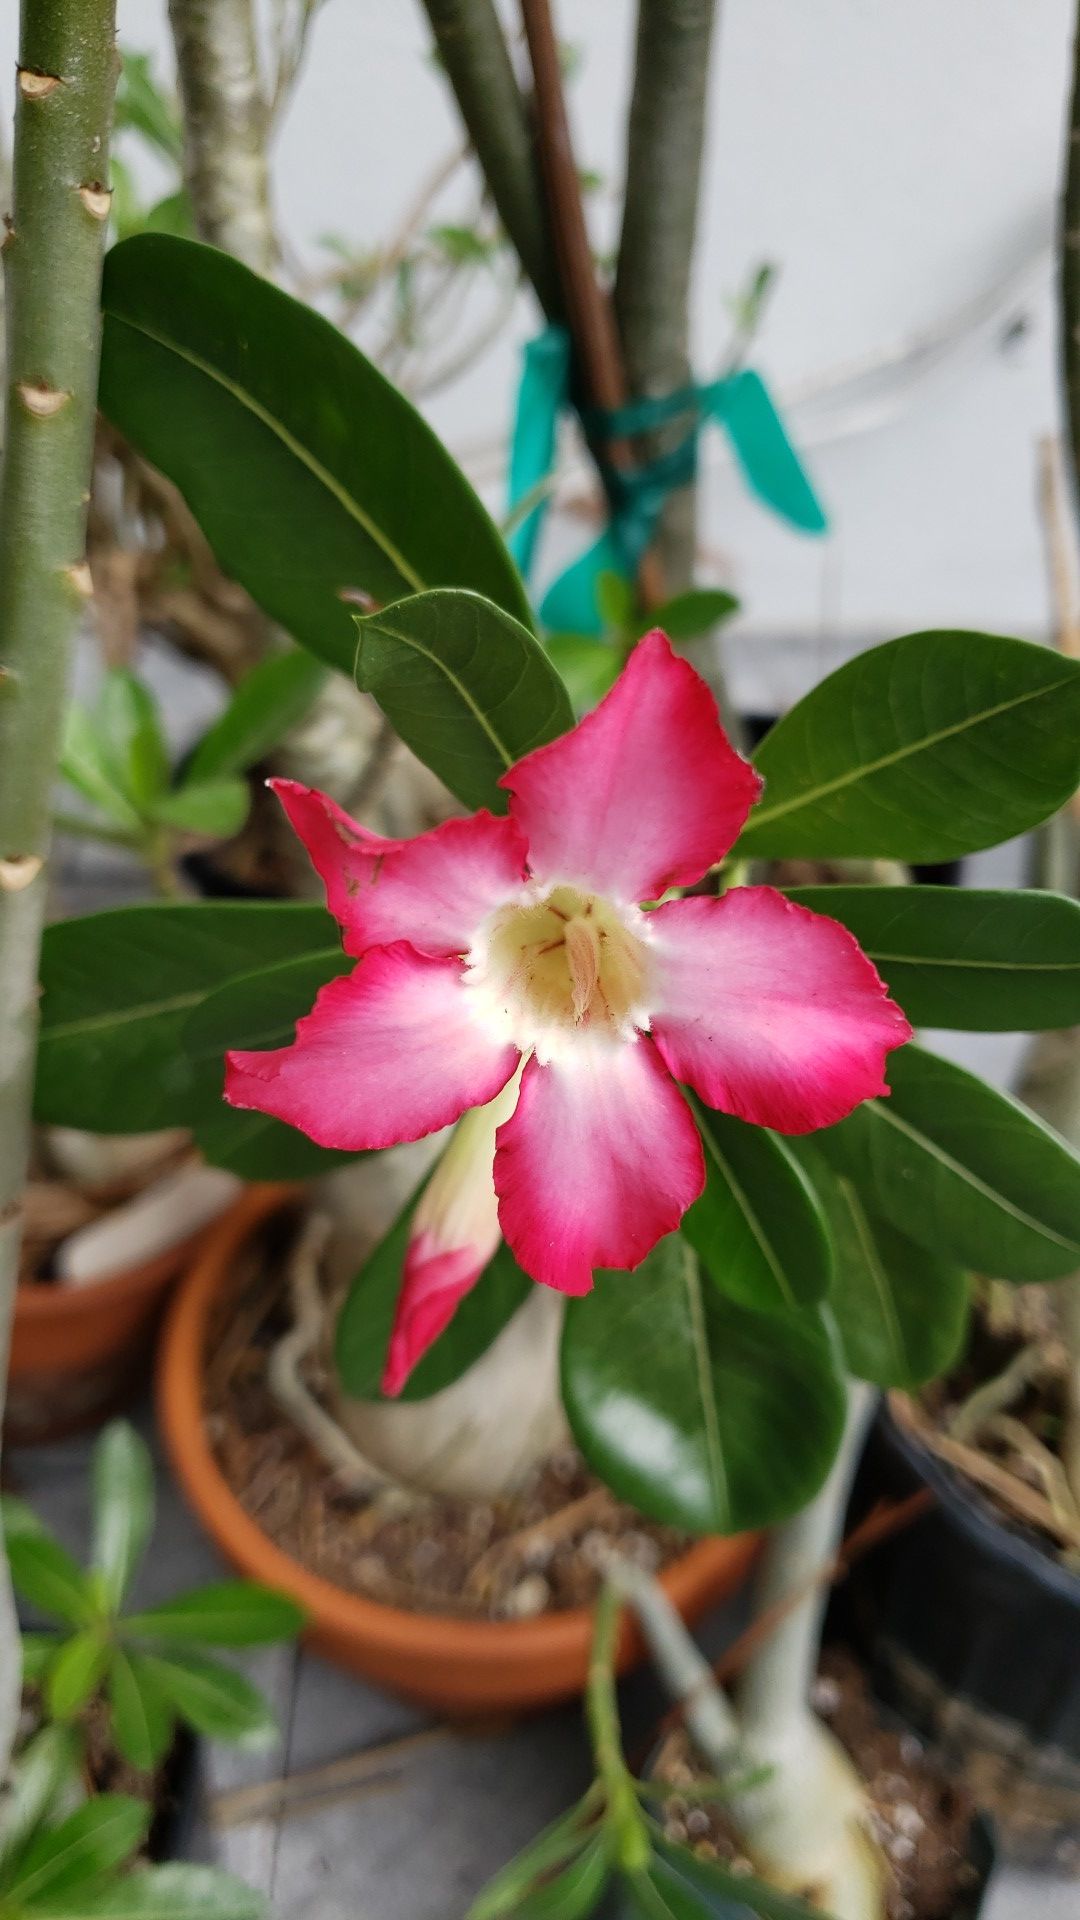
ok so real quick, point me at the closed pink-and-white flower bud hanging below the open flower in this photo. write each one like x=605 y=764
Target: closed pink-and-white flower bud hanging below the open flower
x=453 y=1237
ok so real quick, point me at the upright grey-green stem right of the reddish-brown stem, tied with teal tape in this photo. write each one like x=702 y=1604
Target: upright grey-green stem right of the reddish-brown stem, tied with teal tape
x=660 y=222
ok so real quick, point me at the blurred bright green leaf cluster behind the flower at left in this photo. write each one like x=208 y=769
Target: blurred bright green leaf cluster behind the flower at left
x=116 y=756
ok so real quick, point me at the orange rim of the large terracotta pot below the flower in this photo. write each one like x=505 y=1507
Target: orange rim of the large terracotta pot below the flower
x=328 y=1606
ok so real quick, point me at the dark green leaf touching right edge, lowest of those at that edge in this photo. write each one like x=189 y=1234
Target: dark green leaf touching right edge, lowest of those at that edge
x=964 y=1170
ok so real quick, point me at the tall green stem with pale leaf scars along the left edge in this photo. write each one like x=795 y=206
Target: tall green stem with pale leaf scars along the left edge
x=53 y=262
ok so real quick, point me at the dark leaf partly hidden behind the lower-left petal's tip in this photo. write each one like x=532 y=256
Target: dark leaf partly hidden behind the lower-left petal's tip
x=258 y=1011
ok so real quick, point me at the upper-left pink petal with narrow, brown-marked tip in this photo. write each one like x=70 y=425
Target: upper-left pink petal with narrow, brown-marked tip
x=433 y=890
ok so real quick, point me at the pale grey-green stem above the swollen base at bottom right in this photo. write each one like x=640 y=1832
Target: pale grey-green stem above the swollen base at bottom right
x=777 y=1685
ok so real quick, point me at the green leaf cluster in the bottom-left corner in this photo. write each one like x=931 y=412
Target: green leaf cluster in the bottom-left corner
x=68 y=1858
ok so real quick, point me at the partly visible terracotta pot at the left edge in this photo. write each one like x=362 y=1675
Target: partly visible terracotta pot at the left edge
x=80 y=1353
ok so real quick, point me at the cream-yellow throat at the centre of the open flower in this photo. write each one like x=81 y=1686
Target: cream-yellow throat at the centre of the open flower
x=545 y=972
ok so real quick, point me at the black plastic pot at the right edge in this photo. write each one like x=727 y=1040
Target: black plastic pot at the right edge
x=973 y=1633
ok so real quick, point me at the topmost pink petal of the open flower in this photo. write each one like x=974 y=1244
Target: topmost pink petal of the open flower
x=643 y=794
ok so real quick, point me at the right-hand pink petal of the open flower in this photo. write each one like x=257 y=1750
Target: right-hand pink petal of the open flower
x=770 y=1011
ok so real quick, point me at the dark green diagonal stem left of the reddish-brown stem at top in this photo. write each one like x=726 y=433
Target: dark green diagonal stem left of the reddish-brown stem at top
x=476 y=57
